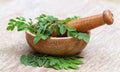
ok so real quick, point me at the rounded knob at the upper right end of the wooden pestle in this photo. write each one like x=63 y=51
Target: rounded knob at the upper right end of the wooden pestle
x=108 y=17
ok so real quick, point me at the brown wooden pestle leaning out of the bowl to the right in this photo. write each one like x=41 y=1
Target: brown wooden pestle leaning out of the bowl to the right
x=88 y=23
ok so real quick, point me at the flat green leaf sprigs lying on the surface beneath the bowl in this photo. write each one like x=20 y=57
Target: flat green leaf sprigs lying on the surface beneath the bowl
x=56 y=62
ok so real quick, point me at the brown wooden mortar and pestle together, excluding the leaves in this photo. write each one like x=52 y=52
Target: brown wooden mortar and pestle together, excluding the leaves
x=64 y=46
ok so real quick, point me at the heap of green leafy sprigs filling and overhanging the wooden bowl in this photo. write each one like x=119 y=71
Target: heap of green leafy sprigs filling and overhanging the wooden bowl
x=45 y=26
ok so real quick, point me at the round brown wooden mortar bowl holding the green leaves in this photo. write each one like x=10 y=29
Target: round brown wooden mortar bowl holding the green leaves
x=57 y=46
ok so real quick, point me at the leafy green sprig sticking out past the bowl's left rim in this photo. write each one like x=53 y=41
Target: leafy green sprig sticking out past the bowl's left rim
x=21 y=23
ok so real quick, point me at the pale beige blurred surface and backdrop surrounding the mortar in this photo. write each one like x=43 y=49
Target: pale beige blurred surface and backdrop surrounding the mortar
x=102 y=54
